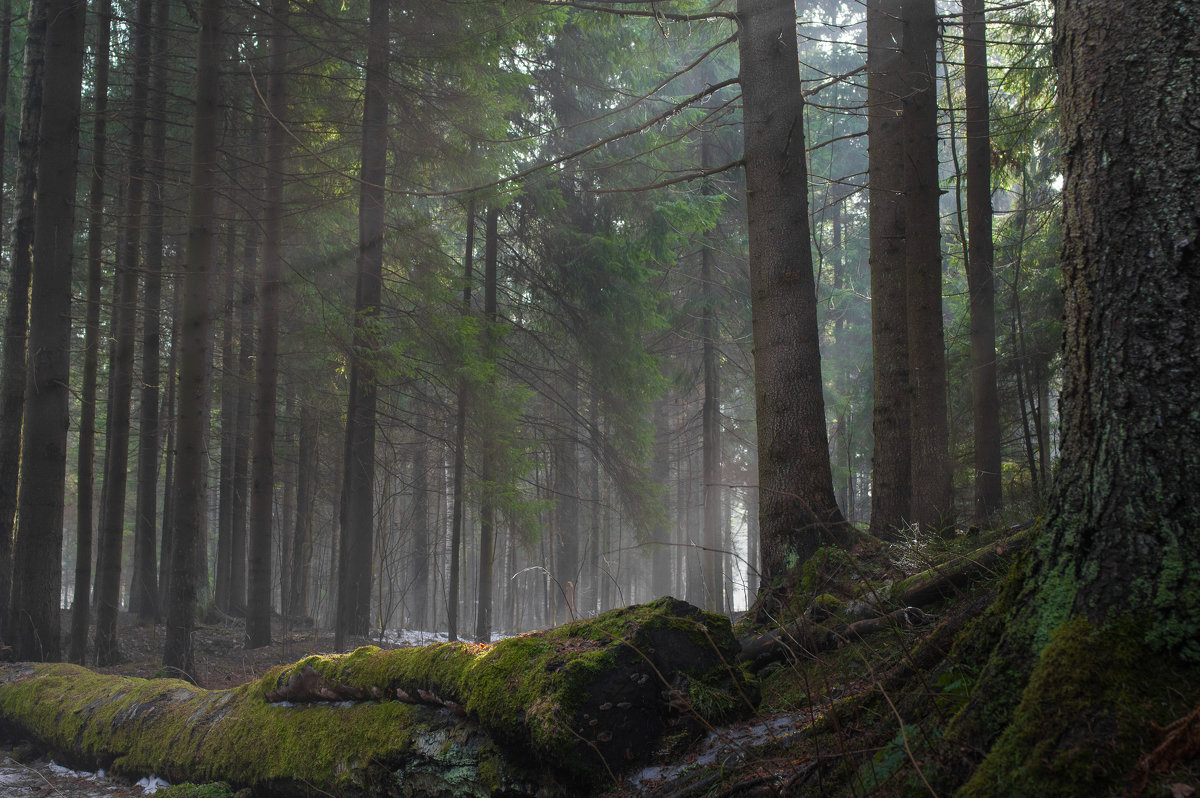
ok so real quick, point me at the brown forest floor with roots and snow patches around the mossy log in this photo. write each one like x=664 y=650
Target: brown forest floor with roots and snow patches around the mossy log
x=826 y=721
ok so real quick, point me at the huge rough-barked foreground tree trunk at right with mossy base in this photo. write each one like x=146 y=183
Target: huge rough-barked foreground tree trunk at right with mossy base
x=1109 y=595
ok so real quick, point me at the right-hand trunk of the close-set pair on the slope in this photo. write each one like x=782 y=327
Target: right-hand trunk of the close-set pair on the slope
x=932 y=507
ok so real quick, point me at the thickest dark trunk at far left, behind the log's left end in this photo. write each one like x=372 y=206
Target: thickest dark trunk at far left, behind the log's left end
x=34 y=617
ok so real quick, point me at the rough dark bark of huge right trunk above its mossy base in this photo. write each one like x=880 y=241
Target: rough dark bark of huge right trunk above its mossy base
x=1124 y=521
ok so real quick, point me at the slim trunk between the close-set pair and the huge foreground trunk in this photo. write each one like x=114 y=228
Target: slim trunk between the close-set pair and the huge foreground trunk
x=985 y=397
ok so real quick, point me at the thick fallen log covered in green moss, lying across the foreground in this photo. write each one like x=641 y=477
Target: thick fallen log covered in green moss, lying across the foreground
x=560 y=711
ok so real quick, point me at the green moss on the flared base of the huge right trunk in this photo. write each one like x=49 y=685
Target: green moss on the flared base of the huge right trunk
x=1085 y=717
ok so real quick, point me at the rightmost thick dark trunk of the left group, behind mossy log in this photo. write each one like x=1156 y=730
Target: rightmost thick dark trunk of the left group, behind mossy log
x=358 y=497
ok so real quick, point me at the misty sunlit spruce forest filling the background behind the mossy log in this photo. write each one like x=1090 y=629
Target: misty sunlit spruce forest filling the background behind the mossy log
x=445 y=316
